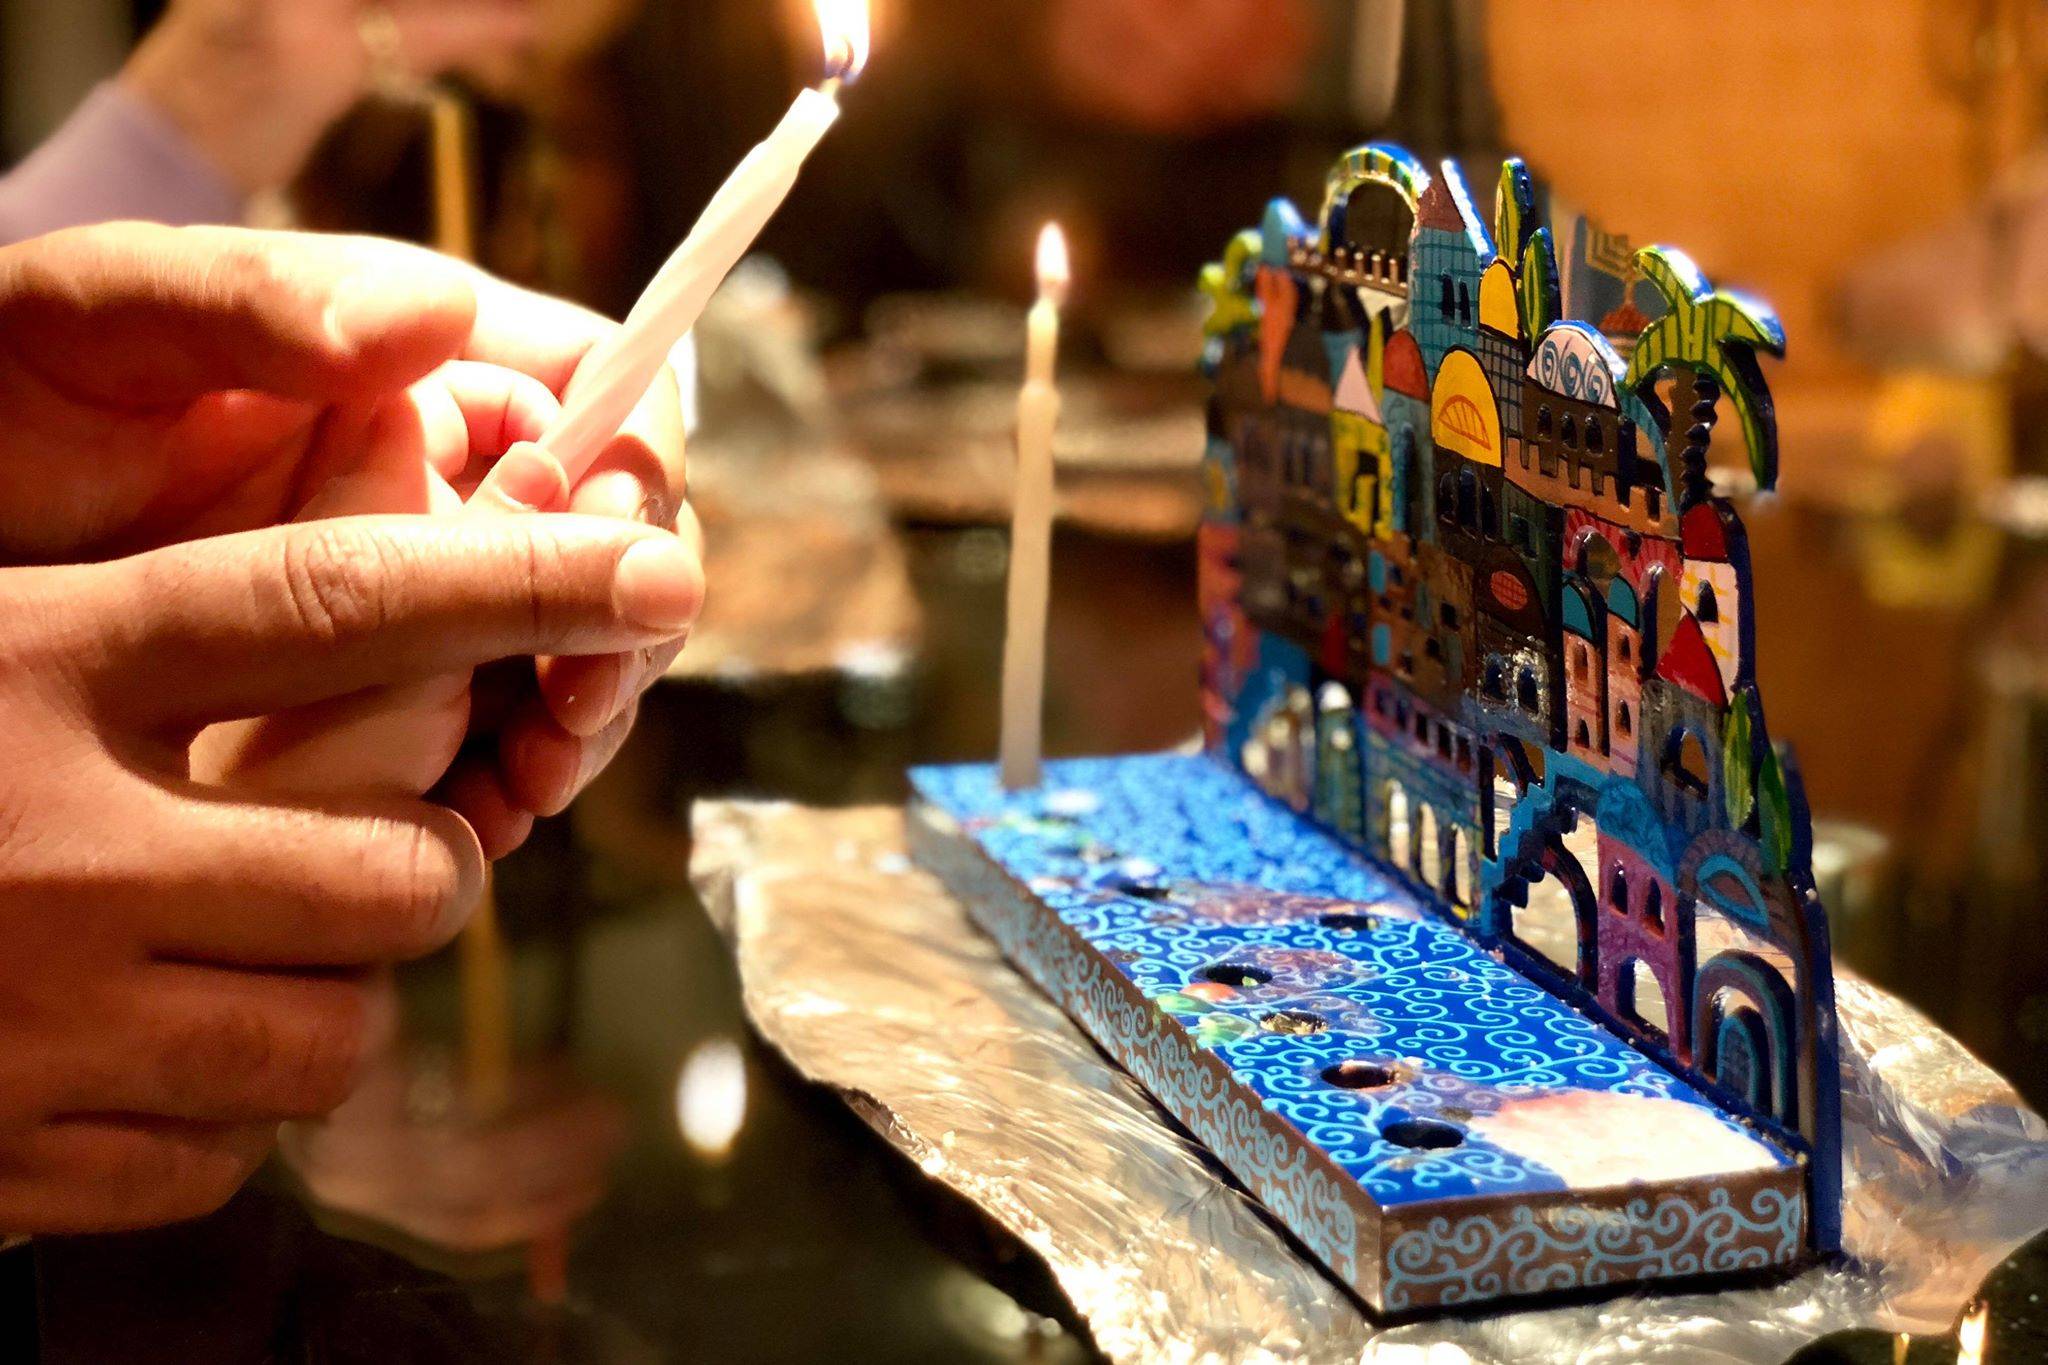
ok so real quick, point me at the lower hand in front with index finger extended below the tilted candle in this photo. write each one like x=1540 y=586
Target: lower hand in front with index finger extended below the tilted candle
x=183 y=967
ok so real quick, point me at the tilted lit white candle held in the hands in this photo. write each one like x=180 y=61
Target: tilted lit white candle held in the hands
x=620 y=371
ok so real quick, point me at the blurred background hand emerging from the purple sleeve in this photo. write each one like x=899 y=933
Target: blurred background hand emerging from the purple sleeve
x=257 y=83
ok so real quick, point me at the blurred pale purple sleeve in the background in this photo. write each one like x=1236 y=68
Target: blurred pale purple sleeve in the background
x=116 y=159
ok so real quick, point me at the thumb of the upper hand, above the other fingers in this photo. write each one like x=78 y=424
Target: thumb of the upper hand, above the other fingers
x=146 y=316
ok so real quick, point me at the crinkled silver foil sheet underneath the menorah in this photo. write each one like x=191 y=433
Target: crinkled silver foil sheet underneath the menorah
x=869 y=977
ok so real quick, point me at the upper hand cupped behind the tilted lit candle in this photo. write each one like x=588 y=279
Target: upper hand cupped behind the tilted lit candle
x=175 y=384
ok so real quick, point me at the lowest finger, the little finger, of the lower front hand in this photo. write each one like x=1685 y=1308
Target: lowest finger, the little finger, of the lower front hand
x=101 y=1174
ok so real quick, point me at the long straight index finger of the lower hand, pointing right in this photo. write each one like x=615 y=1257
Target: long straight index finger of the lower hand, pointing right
x=282 y=617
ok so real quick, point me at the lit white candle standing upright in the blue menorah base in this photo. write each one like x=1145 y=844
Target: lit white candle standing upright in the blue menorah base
x=1031 y=525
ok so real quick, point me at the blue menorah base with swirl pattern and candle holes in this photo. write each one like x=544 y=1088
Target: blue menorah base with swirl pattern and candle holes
x=1437 y=1129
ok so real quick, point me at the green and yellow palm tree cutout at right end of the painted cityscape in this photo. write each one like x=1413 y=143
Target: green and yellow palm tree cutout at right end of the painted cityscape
x=1709 y=343
